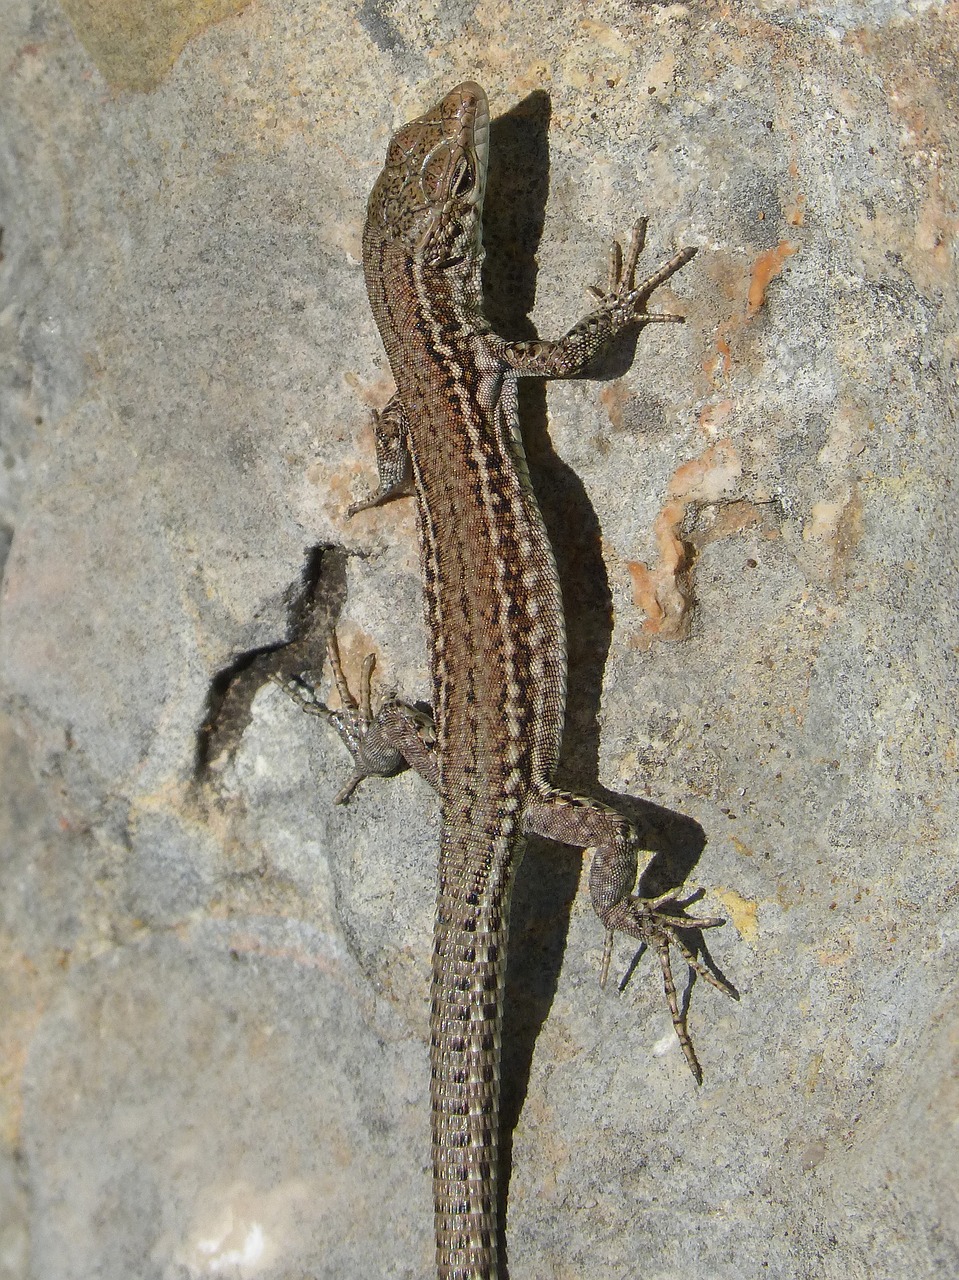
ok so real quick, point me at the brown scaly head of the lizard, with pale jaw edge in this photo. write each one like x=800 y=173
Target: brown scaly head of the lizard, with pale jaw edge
x=428 y=200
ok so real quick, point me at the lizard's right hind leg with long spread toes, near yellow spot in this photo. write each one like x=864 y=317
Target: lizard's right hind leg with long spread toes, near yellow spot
x=657 y=922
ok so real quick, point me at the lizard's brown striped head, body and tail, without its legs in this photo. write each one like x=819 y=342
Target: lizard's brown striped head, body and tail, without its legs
x=495 y=623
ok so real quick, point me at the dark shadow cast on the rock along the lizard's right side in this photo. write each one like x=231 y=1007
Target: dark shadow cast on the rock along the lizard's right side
x=550 y=876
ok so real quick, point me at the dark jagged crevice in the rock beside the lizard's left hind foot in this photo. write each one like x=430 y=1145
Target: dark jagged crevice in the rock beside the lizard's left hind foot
x=313 y=606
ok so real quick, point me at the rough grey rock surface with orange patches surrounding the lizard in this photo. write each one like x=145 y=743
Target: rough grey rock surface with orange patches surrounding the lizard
x=214 y=985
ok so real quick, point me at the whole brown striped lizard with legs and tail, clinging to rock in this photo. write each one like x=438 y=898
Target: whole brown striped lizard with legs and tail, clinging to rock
x=495 y=618
